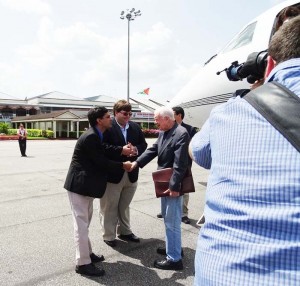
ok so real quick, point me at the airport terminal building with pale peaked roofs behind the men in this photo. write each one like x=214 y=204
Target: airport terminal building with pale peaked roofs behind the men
x=63 y=113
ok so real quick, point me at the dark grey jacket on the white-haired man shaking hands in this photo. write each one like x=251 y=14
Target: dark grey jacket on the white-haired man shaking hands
x=172 y=153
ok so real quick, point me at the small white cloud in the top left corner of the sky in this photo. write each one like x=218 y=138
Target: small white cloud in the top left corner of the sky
x=28 y=6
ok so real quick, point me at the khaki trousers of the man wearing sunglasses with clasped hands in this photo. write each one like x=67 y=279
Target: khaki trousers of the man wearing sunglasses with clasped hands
x=114 y=208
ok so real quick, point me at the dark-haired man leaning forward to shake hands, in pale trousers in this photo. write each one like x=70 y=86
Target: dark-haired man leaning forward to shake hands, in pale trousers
x=85 y=181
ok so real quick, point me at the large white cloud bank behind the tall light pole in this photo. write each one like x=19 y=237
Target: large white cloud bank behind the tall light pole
x=76 y=58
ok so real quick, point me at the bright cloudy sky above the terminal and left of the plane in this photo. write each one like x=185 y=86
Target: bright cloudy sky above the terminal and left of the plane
x=79 y=47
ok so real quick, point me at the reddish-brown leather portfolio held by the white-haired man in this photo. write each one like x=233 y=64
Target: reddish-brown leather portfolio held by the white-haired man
x=162 y=177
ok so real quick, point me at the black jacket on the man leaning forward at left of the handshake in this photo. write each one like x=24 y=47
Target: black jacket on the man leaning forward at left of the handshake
x=87 y=174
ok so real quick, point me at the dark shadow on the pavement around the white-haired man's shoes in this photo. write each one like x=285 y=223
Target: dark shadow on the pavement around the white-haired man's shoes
x=128 y=273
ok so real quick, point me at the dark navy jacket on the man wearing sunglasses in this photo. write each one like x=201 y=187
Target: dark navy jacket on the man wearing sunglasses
x=115 y=141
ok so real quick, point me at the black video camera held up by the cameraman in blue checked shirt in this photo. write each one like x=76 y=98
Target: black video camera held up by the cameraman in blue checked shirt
x=253 y=69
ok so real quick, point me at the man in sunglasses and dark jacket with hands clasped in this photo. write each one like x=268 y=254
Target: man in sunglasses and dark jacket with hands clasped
x=121 y=186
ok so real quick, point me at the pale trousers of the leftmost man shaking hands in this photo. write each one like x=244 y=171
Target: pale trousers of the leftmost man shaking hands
x=82 y=211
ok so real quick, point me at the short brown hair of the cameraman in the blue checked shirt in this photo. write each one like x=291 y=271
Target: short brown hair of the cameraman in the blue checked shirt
x=285 y=44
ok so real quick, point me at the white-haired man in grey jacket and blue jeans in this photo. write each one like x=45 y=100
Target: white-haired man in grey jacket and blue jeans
x=171 y=148
